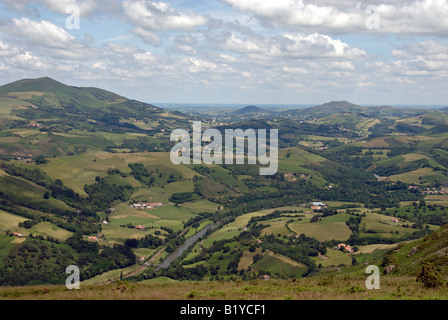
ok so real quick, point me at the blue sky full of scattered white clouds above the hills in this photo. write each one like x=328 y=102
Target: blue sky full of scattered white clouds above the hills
x=233 y=51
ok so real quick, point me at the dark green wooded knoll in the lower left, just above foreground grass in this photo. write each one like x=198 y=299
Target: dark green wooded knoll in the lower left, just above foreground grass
x=38 y=261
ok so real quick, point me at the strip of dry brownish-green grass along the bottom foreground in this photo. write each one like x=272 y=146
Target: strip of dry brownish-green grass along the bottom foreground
x=339 y=287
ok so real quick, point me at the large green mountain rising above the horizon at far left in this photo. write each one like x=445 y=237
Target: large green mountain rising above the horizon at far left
x=51 y=99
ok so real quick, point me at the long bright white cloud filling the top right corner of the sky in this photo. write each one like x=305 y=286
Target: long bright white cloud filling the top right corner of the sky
x=337 y=17
